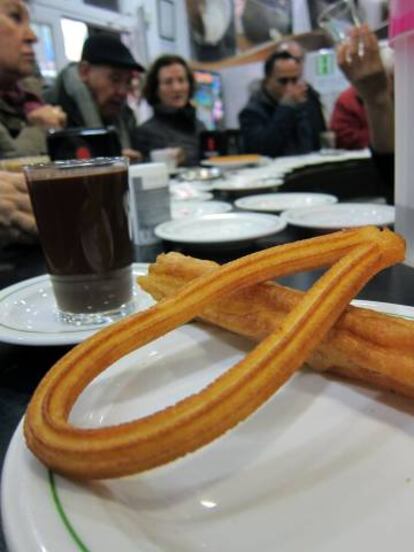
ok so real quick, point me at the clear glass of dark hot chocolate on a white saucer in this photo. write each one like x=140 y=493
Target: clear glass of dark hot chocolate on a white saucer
x=82 y=214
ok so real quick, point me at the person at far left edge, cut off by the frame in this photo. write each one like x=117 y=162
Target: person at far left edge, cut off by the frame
x=24 y=117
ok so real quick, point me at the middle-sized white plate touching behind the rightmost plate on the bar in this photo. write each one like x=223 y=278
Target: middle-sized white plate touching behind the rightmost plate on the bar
x=275 y=203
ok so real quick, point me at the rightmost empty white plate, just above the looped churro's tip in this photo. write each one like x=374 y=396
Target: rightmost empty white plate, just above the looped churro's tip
x=341 y=215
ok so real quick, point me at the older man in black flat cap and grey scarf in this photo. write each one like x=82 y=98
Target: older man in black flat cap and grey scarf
x=93 y=92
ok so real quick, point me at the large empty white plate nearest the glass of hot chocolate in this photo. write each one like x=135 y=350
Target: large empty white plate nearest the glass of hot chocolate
x=223 y=228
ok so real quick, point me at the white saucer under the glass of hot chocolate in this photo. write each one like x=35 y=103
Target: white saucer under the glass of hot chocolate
x=28 y=313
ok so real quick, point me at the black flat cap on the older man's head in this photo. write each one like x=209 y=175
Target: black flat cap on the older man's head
x=106 y=49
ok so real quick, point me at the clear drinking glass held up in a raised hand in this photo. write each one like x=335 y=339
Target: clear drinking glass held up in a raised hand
x=338 y=18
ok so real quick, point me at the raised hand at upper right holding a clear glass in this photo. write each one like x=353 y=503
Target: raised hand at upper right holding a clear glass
x=360 y=60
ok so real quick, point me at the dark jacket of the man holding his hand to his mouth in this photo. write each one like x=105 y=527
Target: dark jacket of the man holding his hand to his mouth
x=272 y=129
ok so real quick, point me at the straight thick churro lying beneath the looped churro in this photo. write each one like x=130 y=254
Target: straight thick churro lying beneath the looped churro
x=372 y=347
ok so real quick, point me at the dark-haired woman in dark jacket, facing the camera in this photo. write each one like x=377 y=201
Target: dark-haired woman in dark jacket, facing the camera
x=168 y=89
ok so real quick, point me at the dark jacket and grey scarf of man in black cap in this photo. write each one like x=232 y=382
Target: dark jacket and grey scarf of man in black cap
x=77 y=102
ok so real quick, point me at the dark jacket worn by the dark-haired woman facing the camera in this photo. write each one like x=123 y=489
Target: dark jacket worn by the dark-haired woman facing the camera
x=170 y=128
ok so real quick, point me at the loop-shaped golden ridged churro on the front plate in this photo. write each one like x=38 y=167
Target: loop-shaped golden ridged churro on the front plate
x=198 y=419
